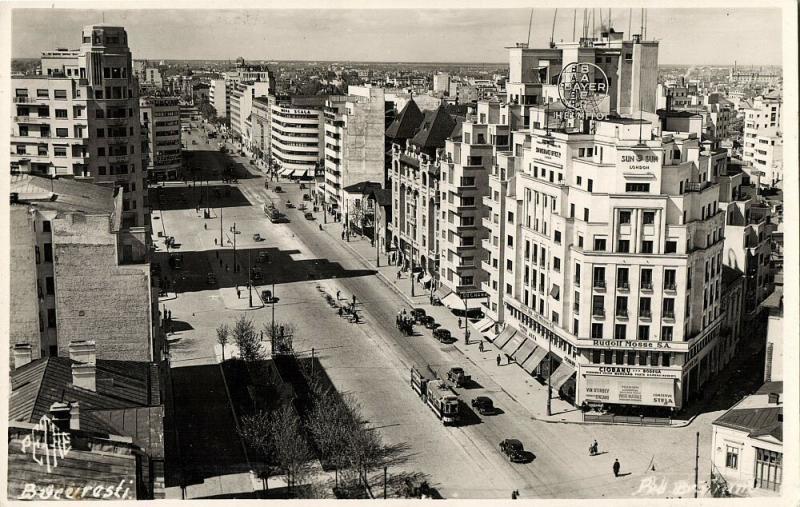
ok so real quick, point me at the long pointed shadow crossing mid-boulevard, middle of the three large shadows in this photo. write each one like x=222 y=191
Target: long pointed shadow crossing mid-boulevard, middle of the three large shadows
x=279 y=269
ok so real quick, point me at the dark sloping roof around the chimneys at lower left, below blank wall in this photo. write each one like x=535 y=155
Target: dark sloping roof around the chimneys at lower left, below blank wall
x=39 y=384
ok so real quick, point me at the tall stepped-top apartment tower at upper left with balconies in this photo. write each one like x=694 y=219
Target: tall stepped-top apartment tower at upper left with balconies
x=81 y=118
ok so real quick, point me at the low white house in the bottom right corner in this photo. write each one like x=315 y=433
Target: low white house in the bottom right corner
x=747 y=445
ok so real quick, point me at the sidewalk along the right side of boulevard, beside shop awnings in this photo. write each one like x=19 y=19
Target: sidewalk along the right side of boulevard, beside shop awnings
x=513 y=380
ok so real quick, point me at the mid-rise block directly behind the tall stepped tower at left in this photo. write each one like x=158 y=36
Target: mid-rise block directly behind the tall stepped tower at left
x=161 y=136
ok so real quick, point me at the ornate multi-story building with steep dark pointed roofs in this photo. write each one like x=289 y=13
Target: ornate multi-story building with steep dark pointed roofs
x=415 y=180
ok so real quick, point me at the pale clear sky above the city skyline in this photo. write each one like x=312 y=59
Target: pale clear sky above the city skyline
x=687 y=36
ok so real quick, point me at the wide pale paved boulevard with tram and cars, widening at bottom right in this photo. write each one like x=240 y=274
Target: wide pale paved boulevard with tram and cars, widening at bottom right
x=372 y=359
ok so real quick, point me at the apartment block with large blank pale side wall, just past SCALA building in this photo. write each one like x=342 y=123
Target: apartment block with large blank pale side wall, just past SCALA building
x=354 y=141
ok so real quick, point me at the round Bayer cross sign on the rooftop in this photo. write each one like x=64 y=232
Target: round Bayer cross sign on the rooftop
x=582 y=87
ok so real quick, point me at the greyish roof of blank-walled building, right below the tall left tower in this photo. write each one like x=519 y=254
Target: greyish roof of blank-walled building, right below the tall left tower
x=62 y=194
